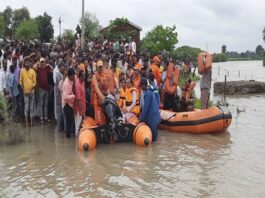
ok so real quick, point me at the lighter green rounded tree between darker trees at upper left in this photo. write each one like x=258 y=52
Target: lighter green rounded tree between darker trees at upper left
x=27 y=30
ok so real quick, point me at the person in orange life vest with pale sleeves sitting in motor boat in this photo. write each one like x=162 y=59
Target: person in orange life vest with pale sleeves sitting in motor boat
x=131 y=107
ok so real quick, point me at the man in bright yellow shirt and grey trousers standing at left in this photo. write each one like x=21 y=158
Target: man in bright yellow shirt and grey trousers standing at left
x=28 y=82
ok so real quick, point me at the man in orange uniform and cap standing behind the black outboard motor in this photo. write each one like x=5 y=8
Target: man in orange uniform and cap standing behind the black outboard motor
x=99 y=89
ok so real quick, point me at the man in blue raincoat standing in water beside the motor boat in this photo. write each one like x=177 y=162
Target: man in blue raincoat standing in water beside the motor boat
x=150 y=110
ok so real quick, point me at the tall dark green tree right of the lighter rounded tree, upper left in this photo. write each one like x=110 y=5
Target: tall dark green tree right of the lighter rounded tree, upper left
x=45 y=27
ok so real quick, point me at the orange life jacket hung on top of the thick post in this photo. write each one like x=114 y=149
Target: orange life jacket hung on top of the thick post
x=205 y=61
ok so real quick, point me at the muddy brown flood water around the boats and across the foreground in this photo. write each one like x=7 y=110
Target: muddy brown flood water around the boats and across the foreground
x=229 y=164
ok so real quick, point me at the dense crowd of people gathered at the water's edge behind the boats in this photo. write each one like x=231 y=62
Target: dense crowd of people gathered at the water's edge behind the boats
x=66 y=83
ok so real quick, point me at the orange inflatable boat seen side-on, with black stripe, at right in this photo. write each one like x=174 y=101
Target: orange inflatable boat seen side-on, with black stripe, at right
x=214 y=119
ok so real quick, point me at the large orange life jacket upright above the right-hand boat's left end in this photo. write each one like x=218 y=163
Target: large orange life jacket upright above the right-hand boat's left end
x=171 y=82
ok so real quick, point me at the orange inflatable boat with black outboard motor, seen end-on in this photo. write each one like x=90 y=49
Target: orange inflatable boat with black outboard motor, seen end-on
x=90 y=134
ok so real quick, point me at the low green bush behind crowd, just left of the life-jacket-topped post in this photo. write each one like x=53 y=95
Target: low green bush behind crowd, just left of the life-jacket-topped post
x=186 y=52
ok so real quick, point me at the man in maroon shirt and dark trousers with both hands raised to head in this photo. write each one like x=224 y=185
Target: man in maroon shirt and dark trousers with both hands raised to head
x=43 y=71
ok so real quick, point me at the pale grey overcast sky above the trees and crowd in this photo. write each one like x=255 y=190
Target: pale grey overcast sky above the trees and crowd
x=200 y=23
